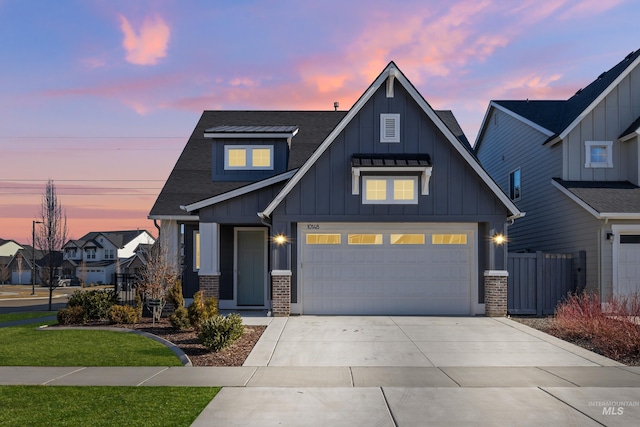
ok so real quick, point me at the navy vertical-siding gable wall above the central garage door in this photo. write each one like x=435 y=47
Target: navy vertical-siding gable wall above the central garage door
x=456 y=192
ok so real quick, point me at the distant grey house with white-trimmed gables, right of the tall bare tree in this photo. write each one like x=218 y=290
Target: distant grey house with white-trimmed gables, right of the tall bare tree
x=96 y=257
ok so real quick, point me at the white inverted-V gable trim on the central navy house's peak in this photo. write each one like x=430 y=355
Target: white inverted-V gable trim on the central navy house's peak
x=391 y=71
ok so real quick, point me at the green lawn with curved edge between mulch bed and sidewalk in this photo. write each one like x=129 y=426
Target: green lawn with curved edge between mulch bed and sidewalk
x=26 y=346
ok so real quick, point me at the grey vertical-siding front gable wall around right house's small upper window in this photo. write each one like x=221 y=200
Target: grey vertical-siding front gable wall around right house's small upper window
x=605 y=122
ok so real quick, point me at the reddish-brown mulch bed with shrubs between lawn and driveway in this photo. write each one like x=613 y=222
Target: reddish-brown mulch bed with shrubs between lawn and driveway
x=234 y=355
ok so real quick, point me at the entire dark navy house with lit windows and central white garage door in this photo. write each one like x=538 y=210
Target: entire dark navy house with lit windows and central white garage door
x=379 y=210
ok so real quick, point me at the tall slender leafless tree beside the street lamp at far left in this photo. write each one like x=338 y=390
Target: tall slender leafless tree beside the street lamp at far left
x=51 y=235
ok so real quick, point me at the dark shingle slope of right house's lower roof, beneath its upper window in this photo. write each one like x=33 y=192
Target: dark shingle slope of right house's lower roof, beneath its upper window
x=606 y=196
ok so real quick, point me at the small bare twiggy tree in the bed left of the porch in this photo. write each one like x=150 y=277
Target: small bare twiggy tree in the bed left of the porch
x=157 y=276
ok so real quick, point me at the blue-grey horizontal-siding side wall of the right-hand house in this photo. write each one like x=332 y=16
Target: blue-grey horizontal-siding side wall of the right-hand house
x=553 y=223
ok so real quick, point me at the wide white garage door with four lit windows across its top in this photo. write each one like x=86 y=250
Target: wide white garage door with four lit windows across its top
x=387 y=269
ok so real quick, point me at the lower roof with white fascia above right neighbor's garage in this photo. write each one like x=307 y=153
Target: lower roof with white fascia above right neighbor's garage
x=603 y=199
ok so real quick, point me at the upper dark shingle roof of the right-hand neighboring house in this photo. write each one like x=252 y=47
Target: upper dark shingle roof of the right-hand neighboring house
x=556 y=116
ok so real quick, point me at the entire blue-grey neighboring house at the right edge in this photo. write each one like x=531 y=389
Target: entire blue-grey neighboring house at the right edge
x=574 y=167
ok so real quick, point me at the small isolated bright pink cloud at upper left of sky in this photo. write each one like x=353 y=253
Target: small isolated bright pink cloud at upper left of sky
x=148 y=45
